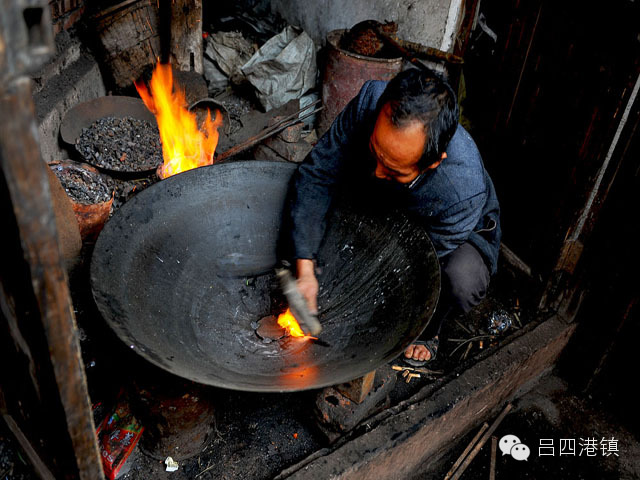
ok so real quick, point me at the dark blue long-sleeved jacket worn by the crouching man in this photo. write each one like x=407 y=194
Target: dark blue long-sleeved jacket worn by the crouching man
x=456 y=202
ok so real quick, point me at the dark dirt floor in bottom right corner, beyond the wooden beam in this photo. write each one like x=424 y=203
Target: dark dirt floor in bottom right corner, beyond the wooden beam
x=551 y=414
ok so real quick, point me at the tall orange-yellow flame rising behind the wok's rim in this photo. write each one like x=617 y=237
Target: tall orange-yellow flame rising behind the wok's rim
x=184 y=145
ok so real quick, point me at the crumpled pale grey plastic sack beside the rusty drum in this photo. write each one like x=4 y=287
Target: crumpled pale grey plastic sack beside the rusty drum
x=282 y=69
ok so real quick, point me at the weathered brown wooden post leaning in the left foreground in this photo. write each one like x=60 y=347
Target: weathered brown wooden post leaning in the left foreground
x=28 y=187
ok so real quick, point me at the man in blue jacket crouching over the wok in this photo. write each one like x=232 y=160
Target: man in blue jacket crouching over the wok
x=405 y=134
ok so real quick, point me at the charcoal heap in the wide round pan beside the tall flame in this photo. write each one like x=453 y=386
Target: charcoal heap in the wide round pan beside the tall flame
x=121 y=144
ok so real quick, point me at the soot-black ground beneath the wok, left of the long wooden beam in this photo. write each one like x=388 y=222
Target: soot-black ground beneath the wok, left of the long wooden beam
x=256 y=436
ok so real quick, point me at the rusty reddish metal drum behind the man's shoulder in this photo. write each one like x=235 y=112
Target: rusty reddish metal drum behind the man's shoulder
x=344 y=75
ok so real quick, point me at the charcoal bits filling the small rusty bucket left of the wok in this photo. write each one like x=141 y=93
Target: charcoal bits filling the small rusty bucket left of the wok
x=82 y=185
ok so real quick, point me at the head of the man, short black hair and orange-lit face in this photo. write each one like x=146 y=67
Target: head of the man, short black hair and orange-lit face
x=418 y=115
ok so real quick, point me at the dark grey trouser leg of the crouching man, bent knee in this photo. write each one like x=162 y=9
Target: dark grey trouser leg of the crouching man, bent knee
x=465 y=280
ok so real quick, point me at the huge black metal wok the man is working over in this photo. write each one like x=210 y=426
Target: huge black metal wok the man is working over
x=184 y=271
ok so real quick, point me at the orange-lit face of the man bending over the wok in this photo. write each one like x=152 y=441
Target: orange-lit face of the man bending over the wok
x=396 y=150
